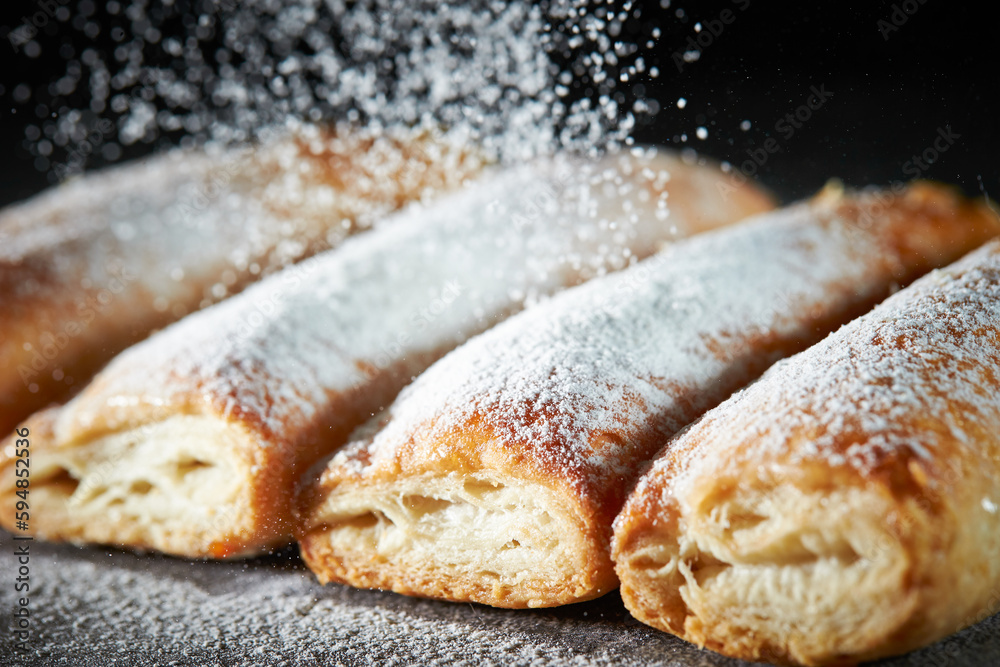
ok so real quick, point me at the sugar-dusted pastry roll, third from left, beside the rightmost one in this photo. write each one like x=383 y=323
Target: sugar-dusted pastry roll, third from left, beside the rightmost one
x=495 y=476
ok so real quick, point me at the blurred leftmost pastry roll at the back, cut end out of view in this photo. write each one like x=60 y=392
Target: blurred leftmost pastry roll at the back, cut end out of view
x=95 y=265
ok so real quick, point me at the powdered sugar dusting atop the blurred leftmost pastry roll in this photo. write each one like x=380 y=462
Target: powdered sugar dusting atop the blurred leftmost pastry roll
x=220 y=218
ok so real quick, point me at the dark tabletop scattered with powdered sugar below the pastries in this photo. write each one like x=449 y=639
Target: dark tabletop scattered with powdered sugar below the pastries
x=92 y=607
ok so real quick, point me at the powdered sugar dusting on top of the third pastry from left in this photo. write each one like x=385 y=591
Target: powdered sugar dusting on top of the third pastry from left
x=575 y=385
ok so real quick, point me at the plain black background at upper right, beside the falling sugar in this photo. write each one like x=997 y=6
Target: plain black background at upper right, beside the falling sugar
x=890 y=96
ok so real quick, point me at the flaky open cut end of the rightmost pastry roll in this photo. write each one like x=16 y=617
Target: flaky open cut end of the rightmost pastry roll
x=782 y=576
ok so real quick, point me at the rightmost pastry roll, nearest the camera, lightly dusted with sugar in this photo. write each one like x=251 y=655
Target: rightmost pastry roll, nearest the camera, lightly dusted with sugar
x=844 y=507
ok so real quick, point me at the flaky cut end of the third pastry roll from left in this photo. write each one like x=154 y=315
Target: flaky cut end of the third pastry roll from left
x=496 y=541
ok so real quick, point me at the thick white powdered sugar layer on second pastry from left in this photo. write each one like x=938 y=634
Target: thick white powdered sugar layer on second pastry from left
x=418 y=284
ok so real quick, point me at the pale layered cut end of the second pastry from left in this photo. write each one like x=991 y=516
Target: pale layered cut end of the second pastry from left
x=175 y=486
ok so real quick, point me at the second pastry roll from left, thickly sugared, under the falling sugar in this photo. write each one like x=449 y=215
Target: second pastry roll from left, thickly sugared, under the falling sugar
x=191 y=442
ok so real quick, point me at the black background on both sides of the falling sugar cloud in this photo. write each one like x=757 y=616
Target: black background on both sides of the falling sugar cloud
x=890 y=96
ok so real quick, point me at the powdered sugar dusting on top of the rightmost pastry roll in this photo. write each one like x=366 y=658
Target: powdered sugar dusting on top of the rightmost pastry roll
x=929 y=355
